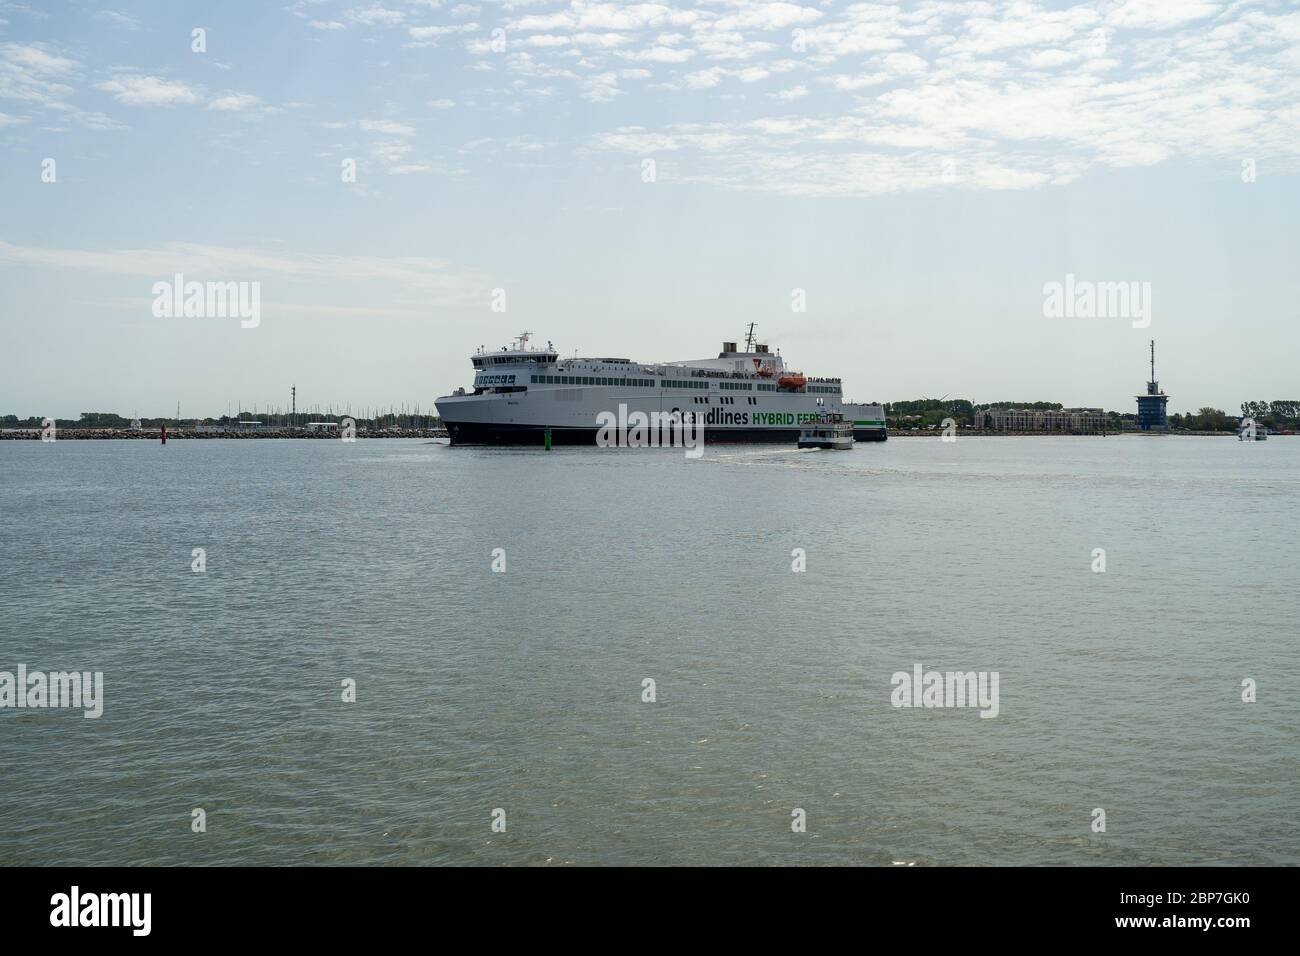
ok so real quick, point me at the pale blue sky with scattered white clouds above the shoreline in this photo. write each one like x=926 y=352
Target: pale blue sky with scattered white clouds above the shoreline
x=886 y=191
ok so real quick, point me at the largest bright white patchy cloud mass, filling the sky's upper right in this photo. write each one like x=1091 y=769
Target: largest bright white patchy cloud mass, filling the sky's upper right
x=1012 y=96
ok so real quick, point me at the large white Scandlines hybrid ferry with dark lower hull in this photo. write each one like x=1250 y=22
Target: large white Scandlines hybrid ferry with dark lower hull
x=528 y=396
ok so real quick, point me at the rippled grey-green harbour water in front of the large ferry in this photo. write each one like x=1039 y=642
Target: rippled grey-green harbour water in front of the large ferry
x=371 y=561
